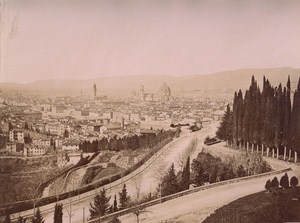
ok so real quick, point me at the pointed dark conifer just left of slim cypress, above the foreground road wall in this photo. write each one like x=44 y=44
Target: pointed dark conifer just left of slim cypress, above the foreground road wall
x=169 y=182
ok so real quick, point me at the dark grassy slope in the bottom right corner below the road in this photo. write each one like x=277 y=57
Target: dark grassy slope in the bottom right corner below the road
x=260 y=207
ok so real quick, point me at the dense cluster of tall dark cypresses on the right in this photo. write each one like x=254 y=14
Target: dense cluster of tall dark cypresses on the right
x=263 y=117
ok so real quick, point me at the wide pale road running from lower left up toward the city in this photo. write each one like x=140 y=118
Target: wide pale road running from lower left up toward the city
x=149 y=182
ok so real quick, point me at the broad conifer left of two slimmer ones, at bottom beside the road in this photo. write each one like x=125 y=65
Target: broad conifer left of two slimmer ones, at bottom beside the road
x=100 y=206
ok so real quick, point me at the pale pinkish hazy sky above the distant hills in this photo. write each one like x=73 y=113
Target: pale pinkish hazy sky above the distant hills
x=83 y=39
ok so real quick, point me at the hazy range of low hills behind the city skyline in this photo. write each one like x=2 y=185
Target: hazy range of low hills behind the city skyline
x=221 y=82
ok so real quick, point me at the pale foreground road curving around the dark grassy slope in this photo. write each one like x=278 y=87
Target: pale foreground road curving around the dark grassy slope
x=197 y=206
